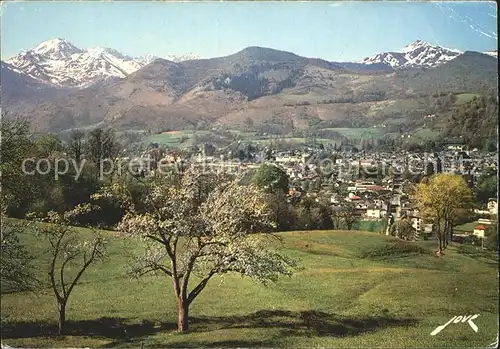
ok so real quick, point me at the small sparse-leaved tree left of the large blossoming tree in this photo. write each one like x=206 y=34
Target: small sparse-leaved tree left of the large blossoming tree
x=66 y=247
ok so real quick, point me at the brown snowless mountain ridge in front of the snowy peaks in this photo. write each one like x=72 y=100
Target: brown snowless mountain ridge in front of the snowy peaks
x=263 y=89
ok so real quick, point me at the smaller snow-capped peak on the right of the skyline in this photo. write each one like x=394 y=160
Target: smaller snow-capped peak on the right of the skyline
x=416 y=54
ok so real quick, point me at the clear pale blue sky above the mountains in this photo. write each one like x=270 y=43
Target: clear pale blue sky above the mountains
x=334 y=31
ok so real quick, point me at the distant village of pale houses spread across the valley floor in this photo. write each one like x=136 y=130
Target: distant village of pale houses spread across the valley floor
x=376 y=183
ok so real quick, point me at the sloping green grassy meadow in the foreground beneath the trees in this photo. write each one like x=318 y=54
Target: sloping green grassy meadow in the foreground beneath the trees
x=354 y=289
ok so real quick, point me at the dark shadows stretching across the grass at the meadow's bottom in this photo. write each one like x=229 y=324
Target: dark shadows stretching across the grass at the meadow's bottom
x=288 y=323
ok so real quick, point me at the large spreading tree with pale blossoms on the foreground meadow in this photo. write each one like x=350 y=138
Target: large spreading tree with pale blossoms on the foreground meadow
x=202 y=225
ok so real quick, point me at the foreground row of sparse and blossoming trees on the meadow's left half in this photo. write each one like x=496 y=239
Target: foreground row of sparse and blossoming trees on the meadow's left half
x=192 y=226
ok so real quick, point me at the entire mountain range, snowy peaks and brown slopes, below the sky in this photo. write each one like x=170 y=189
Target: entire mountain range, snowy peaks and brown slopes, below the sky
x=63 y=87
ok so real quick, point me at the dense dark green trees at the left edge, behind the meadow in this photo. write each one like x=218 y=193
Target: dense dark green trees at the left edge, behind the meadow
x=41 y=193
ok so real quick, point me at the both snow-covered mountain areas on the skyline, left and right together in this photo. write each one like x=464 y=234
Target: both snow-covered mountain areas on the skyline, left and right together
x=60 y=63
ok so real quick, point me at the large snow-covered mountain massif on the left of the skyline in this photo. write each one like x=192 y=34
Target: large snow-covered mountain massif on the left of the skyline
x=60 y=63
